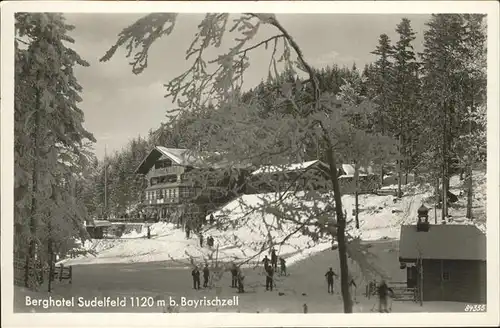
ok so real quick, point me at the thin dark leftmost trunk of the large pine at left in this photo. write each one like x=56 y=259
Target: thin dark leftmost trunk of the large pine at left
x=30 y=263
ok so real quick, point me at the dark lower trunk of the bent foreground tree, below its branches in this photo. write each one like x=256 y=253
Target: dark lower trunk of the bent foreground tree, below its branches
x=341 y=222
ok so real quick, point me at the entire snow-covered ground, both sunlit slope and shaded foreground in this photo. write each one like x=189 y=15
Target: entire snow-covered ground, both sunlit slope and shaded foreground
x=156 y=268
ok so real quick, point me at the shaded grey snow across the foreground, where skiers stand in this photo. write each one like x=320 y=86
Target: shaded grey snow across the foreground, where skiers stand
x=305 y=284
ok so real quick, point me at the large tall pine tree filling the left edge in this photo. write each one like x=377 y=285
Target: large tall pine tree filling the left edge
x=49 y=138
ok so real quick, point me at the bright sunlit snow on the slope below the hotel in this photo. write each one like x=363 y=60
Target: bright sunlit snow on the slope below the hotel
x=380 y=218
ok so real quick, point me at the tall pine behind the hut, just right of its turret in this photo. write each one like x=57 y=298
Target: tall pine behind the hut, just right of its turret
x=442 y=76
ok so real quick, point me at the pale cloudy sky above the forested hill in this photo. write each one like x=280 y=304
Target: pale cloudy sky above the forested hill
x=119 y=105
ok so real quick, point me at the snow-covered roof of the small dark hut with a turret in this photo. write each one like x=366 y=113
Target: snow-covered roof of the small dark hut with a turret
x=443 y=242
